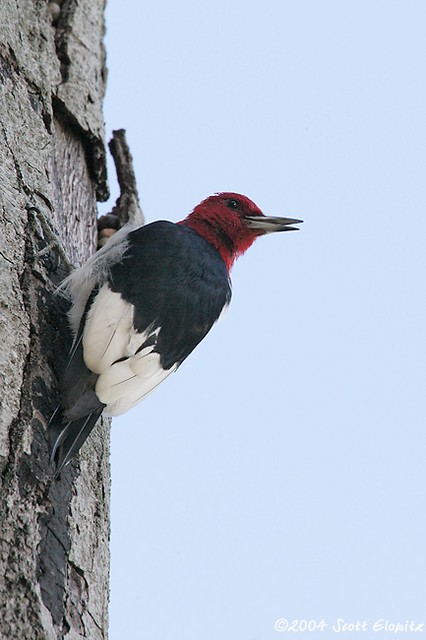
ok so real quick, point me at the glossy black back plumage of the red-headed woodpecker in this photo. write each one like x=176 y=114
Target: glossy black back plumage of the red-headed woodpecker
x=179 y=283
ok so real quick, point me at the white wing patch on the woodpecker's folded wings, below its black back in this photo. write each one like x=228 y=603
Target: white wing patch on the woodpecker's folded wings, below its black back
x=110 y=347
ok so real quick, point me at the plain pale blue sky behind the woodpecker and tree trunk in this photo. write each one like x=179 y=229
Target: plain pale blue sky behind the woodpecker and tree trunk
x=280 y=473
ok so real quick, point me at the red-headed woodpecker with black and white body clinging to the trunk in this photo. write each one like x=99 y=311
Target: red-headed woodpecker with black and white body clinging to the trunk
x=140 y=306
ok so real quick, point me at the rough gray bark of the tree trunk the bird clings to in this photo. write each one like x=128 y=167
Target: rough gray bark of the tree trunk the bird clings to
x=54 y=557
